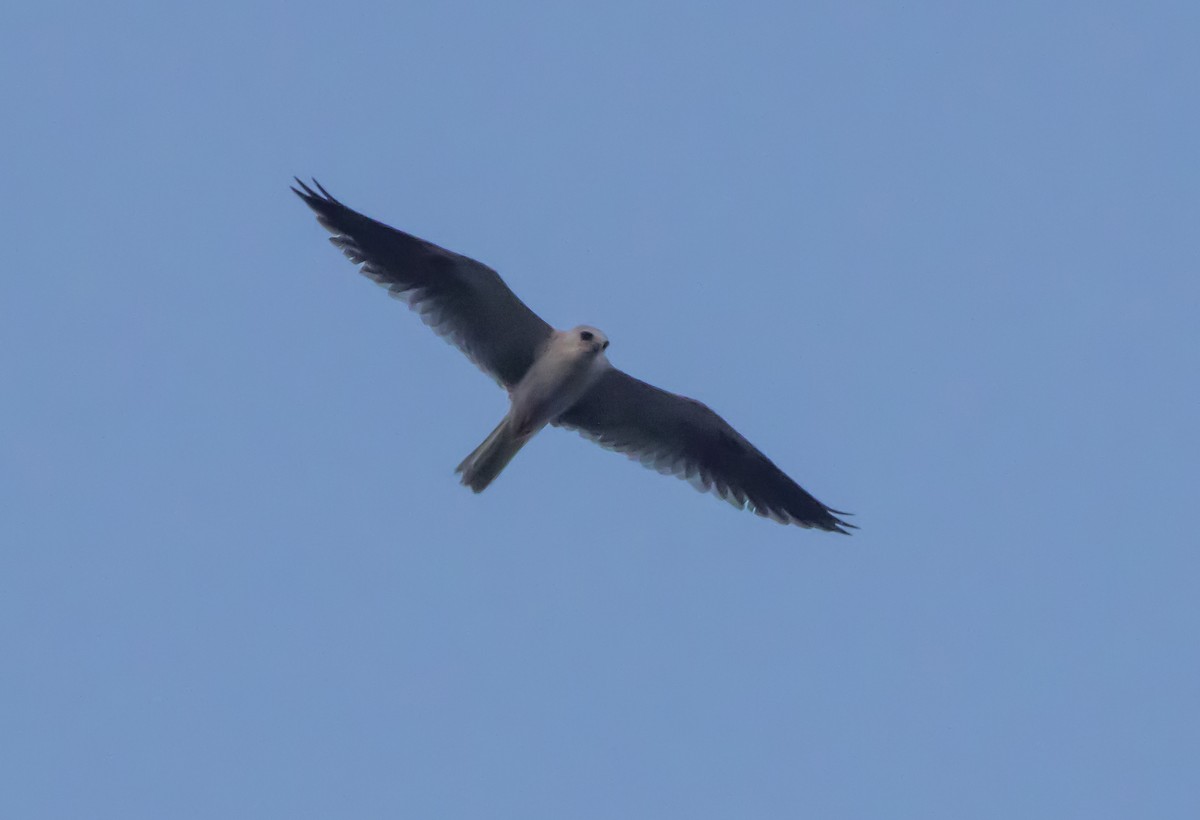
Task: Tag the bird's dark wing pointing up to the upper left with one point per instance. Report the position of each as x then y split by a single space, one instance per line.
465 302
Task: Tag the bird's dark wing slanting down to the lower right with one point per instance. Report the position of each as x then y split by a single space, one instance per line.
681 436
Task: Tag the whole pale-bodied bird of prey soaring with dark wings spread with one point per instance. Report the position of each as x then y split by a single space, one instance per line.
562 378
